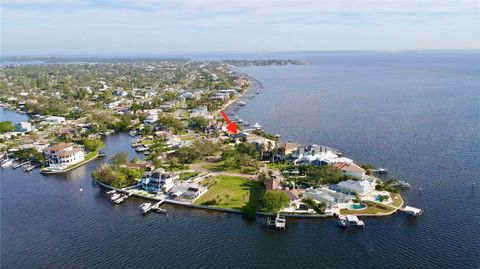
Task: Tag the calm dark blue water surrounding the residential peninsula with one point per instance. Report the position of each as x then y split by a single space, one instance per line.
414 113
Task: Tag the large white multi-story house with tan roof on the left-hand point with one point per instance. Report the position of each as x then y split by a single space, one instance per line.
63 155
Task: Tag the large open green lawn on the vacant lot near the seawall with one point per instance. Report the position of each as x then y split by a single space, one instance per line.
230 192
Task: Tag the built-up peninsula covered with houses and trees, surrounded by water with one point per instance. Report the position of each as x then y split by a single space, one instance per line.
186 156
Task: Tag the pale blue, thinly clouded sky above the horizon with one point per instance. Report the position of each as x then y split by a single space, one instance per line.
109 27
